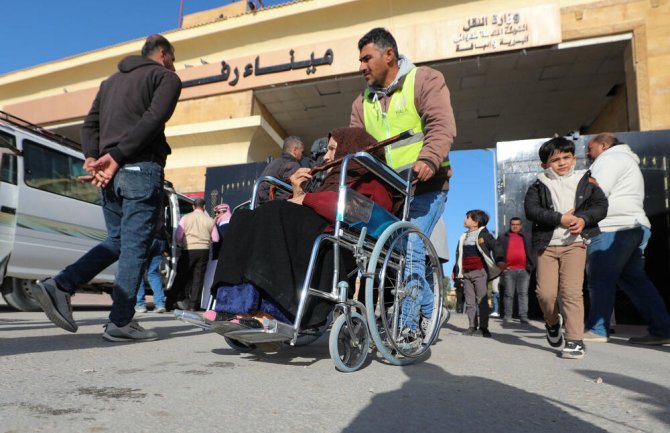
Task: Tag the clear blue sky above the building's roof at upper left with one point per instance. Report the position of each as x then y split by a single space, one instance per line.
39 31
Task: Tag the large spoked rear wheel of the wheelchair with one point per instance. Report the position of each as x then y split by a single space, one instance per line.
386 290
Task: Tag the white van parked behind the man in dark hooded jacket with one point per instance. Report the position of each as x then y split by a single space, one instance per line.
48 218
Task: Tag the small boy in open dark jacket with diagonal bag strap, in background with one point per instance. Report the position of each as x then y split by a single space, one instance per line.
475 266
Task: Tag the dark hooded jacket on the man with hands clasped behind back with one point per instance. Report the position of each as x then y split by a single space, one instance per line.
128 116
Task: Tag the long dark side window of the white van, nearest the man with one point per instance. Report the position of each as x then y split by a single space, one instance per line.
56 172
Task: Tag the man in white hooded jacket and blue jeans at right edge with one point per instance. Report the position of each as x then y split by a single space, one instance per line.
616 255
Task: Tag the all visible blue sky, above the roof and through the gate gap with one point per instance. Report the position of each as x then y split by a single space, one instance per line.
39 31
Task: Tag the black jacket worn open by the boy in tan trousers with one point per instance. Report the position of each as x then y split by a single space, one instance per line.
590 204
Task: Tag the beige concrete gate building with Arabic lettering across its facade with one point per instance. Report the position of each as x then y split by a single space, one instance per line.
516 69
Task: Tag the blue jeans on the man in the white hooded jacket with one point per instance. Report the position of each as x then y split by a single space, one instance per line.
618 258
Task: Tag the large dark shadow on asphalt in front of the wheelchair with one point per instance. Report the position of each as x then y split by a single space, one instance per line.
434 400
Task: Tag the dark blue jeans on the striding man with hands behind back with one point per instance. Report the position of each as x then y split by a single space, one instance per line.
130 206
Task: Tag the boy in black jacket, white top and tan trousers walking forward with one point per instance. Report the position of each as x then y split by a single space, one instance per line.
565 206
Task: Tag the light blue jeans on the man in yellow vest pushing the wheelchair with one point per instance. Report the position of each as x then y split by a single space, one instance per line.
424 212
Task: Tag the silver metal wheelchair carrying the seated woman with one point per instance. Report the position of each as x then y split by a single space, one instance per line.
378 242
